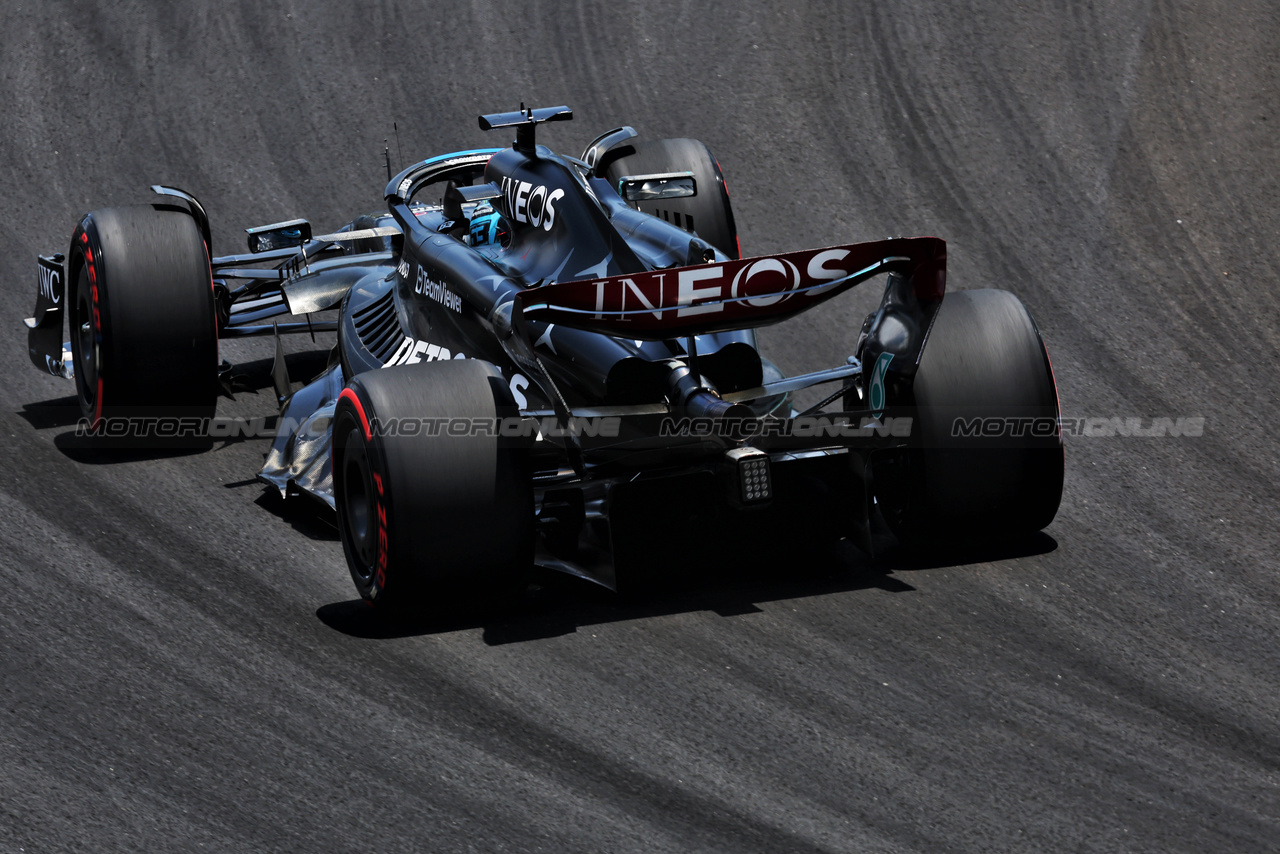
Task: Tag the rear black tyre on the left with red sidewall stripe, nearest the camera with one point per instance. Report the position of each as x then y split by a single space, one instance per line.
428 514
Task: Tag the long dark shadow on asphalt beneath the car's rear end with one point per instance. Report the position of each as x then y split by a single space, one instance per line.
556 605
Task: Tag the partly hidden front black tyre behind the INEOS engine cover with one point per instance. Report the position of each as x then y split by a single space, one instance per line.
708 214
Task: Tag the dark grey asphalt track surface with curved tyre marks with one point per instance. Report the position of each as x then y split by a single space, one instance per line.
182 664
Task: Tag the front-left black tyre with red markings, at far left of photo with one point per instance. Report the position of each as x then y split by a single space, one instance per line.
143 323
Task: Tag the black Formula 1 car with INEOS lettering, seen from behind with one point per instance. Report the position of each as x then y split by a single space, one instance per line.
555 360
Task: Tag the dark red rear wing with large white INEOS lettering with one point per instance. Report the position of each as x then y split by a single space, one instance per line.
734 295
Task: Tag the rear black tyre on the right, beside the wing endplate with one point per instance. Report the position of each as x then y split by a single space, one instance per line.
988 456
